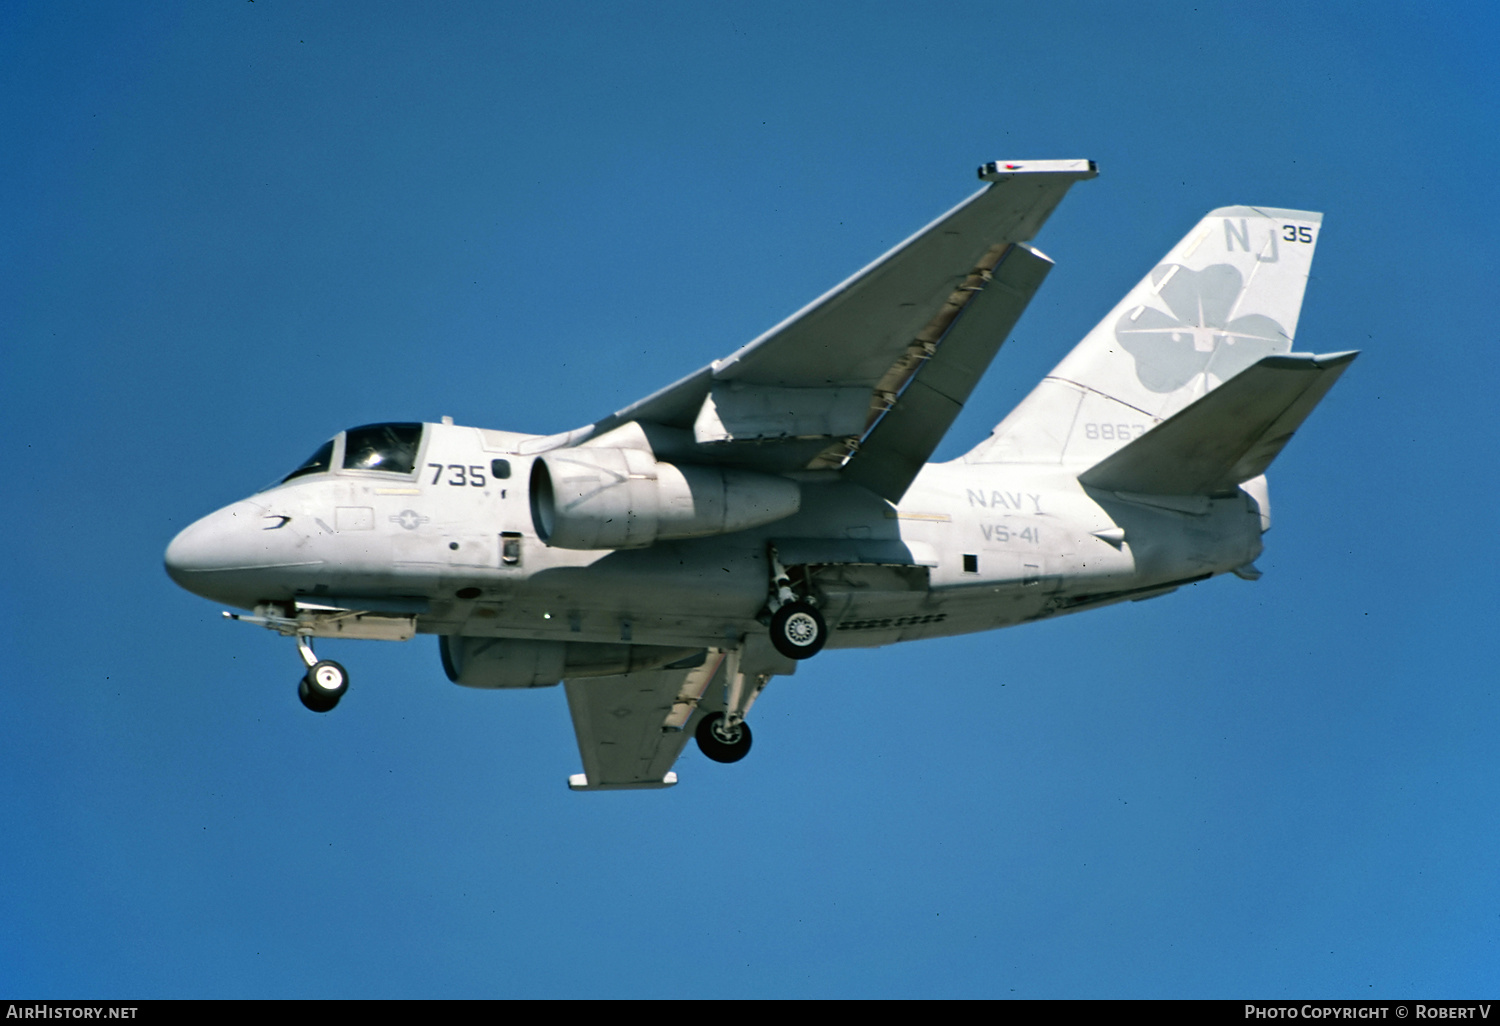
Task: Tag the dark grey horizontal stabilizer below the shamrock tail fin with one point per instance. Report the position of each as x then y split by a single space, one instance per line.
1229 436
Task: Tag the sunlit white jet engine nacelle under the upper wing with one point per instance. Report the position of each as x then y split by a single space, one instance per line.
625 499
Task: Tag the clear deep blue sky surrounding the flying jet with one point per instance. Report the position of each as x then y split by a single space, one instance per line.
235 229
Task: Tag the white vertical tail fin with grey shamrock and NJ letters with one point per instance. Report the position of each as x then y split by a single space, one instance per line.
1226 298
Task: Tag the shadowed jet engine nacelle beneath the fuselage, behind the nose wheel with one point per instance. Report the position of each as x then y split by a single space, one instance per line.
514 662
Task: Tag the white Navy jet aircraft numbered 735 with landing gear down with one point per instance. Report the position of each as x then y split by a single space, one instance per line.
667 562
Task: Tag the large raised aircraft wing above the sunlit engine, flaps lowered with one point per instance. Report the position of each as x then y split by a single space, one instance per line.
904 340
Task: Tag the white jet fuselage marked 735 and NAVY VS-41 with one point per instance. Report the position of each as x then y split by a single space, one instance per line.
446 535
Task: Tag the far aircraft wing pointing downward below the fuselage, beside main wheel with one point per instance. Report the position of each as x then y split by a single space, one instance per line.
632 728
